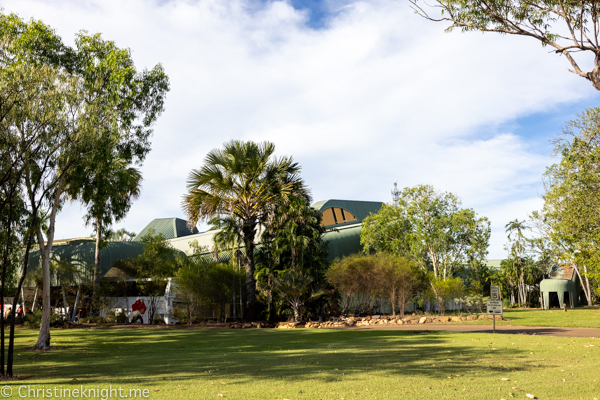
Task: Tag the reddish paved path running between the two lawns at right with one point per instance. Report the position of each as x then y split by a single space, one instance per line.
506 329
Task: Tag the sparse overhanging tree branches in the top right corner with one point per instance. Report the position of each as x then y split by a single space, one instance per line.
569 28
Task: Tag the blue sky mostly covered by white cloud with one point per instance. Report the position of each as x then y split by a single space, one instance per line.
361 93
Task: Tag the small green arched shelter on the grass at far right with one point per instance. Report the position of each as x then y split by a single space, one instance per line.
561 288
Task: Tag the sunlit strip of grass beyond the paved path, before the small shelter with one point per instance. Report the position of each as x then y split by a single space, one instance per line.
584 317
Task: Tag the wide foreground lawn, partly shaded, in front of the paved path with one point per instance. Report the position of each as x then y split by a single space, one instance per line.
312 364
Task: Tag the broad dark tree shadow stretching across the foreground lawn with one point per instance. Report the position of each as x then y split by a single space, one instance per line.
148 356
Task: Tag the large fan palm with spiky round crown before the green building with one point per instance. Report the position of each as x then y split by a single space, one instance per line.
243 181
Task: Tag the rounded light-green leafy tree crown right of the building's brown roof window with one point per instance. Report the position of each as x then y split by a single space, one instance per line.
429 228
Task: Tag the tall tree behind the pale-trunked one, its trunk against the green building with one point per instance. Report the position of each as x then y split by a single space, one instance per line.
107 182
